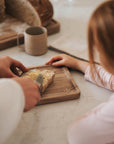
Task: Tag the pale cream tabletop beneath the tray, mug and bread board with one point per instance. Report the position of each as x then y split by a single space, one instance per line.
48 124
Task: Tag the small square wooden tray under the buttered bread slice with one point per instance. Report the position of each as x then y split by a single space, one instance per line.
63 87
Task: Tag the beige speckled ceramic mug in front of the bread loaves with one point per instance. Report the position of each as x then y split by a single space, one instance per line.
35 39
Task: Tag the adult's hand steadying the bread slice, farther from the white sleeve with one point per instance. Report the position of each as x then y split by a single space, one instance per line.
8 67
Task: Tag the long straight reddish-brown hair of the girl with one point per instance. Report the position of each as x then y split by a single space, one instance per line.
101 33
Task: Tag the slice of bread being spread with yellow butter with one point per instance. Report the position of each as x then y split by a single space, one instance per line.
48 76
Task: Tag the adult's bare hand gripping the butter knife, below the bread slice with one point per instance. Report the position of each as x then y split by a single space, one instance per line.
31 91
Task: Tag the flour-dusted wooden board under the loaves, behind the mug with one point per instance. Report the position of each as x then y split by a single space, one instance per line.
11 26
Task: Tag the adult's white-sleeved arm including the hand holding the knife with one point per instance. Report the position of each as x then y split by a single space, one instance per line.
16 95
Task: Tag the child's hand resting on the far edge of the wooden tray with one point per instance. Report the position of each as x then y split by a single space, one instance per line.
62 60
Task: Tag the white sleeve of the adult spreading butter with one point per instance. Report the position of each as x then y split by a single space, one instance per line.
11 107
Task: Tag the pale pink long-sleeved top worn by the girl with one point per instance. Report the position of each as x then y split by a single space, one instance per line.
97 126
